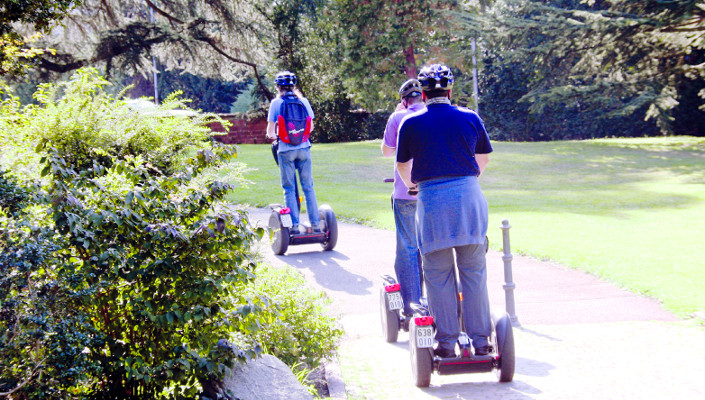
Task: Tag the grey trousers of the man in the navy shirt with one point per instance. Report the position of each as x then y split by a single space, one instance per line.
441 287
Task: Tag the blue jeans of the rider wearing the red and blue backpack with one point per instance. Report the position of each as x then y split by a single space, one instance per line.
290 162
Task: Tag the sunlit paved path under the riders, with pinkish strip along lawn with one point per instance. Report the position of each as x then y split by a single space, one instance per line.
580 338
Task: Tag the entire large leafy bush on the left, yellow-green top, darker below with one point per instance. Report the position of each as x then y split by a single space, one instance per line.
126 289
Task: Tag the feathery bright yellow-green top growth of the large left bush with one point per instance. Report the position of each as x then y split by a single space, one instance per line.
84 124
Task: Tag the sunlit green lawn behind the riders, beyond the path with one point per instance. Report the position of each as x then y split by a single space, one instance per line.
628 210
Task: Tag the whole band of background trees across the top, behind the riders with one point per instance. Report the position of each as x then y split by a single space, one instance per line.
580 68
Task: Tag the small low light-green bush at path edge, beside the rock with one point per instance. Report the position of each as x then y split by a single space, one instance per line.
296 326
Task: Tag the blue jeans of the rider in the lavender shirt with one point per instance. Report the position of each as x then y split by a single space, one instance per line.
407 264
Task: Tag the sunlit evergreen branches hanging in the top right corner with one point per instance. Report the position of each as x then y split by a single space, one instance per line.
617 57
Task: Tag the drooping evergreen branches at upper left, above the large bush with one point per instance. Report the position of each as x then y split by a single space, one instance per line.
216 39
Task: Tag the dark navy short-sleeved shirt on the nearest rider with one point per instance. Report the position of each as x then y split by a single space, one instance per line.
442 140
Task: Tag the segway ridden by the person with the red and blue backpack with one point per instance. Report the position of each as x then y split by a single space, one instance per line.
281 223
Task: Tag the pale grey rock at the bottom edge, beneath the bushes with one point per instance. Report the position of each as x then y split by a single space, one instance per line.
264 378
